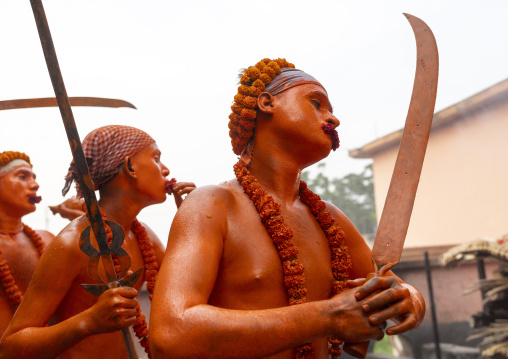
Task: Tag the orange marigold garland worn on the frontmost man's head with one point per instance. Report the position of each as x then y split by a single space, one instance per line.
242 121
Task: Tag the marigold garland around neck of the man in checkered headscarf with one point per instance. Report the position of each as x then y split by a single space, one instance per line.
151 270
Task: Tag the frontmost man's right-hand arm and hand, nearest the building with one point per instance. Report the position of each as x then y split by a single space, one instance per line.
398 301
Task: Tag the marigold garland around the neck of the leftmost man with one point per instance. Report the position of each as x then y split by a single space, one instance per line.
9 285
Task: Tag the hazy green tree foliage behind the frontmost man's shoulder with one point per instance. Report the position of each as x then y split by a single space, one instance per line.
353 194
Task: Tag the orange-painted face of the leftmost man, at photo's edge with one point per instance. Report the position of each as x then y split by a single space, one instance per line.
17 190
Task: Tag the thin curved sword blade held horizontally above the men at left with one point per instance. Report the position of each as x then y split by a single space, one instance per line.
75 101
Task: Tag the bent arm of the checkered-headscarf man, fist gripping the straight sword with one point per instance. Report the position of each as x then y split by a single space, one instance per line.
27 335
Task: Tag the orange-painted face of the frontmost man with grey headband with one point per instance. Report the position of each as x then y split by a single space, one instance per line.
299 115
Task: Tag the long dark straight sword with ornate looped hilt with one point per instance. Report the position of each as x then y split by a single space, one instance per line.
85 181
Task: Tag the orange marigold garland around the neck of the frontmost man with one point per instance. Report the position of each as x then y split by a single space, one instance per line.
293 270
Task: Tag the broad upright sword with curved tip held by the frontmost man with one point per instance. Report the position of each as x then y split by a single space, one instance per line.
399 202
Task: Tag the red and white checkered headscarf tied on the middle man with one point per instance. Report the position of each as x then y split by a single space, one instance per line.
105 149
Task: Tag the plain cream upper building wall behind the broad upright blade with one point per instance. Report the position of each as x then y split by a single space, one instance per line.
463 190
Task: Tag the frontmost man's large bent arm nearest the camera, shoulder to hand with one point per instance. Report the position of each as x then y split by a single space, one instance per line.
182 324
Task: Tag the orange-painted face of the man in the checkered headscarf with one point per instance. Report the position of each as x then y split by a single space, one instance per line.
151 173
